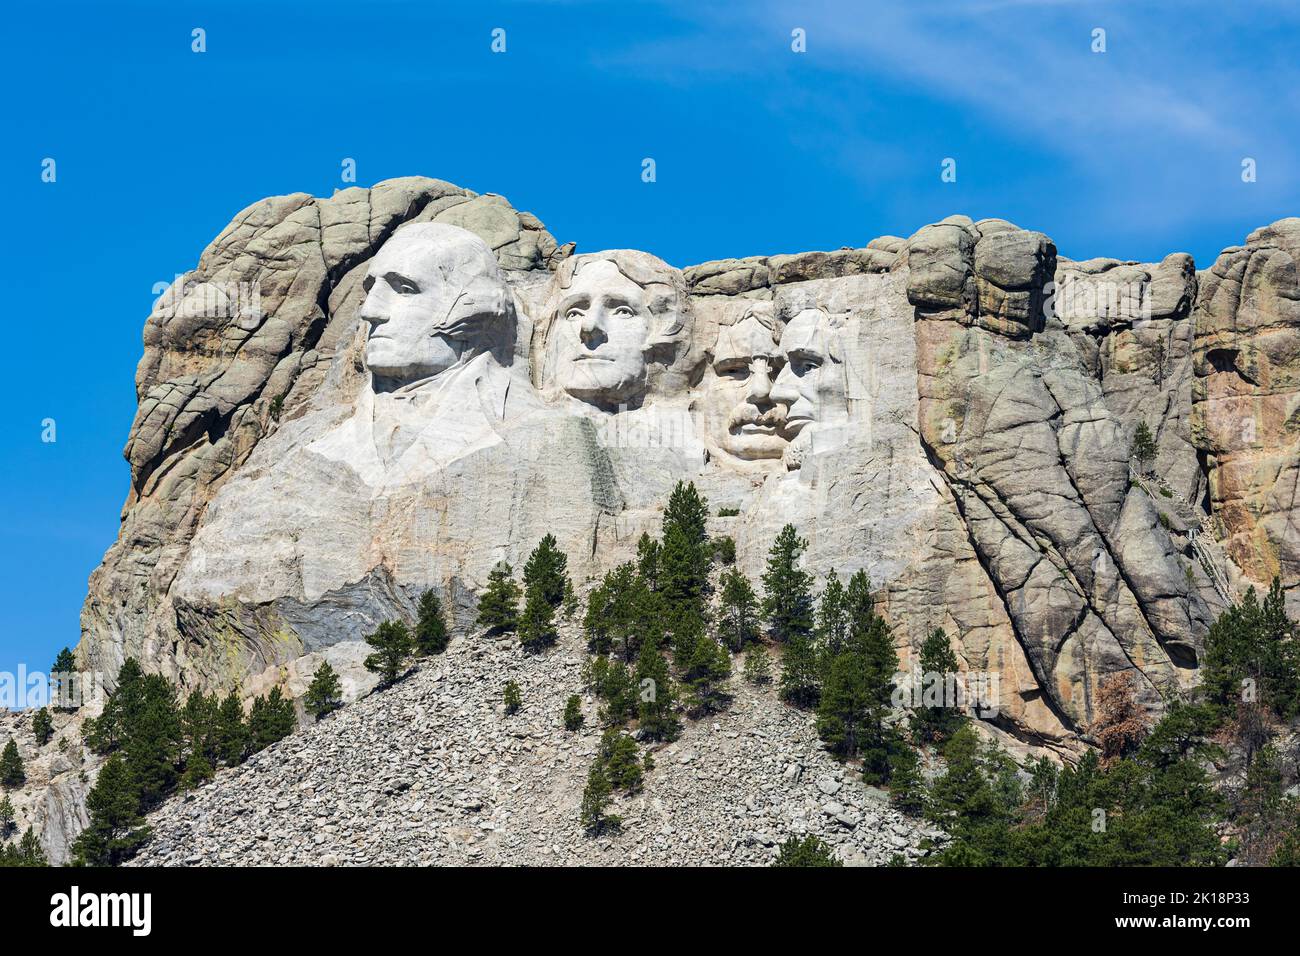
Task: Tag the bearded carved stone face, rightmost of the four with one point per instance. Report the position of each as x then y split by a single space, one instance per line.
812 386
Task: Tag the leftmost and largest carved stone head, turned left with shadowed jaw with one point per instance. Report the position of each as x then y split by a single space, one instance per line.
435 297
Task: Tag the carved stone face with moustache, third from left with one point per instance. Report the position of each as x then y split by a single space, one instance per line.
742 417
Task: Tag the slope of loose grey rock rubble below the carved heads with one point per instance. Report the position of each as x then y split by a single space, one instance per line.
432 772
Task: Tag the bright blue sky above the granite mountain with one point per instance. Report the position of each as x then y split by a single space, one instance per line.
1133 154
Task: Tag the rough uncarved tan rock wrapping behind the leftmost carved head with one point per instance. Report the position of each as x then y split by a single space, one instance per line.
248 338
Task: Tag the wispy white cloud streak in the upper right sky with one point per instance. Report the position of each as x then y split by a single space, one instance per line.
1155 128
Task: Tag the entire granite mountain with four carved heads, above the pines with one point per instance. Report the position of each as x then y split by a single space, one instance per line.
353 400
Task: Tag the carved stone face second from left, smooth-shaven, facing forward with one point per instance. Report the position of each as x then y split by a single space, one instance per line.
604 322
